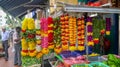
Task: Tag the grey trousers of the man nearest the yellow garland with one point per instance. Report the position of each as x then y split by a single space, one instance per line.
17 56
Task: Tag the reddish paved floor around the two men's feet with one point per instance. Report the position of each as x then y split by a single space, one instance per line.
10 61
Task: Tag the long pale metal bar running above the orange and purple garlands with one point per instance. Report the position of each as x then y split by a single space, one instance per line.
90 9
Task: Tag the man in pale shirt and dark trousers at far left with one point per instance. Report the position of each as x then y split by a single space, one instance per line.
5 37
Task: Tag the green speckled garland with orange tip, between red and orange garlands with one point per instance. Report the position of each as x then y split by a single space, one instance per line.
57 33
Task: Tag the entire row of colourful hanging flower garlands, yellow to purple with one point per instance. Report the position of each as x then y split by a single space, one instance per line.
61 34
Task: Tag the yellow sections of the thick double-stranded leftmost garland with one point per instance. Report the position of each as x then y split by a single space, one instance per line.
28 23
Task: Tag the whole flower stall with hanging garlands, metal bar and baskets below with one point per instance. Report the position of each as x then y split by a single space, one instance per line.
70 37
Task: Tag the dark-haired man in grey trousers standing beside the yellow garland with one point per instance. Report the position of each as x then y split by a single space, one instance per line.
17 46
